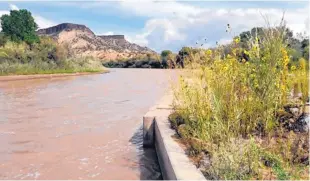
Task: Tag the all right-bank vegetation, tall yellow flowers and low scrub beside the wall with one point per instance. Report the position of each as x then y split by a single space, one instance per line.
235 108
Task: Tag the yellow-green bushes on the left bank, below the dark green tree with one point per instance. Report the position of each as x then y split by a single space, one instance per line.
43 57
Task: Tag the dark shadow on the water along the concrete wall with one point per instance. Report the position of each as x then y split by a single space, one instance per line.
148 162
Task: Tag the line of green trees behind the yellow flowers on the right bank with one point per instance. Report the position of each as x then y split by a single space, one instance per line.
298 48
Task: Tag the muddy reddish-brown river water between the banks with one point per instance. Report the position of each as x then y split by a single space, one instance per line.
81 127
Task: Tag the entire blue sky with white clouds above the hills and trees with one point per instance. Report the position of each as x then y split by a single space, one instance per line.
167 24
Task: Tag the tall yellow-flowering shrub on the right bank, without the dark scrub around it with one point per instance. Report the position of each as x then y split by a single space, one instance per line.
227 97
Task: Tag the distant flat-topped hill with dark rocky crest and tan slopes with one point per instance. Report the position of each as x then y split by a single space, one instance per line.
82 41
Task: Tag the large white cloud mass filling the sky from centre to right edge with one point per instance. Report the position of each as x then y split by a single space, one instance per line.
173 24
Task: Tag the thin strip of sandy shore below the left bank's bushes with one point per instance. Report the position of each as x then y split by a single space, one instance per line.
44 76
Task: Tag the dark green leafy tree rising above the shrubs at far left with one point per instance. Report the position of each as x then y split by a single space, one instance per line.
19 26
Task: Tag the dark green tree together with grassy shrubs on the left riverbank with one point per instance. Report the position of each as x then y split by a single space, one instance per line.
23 52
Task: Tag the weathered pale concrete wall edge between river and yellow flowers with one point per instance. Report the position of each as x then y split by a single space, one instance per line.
173 161
